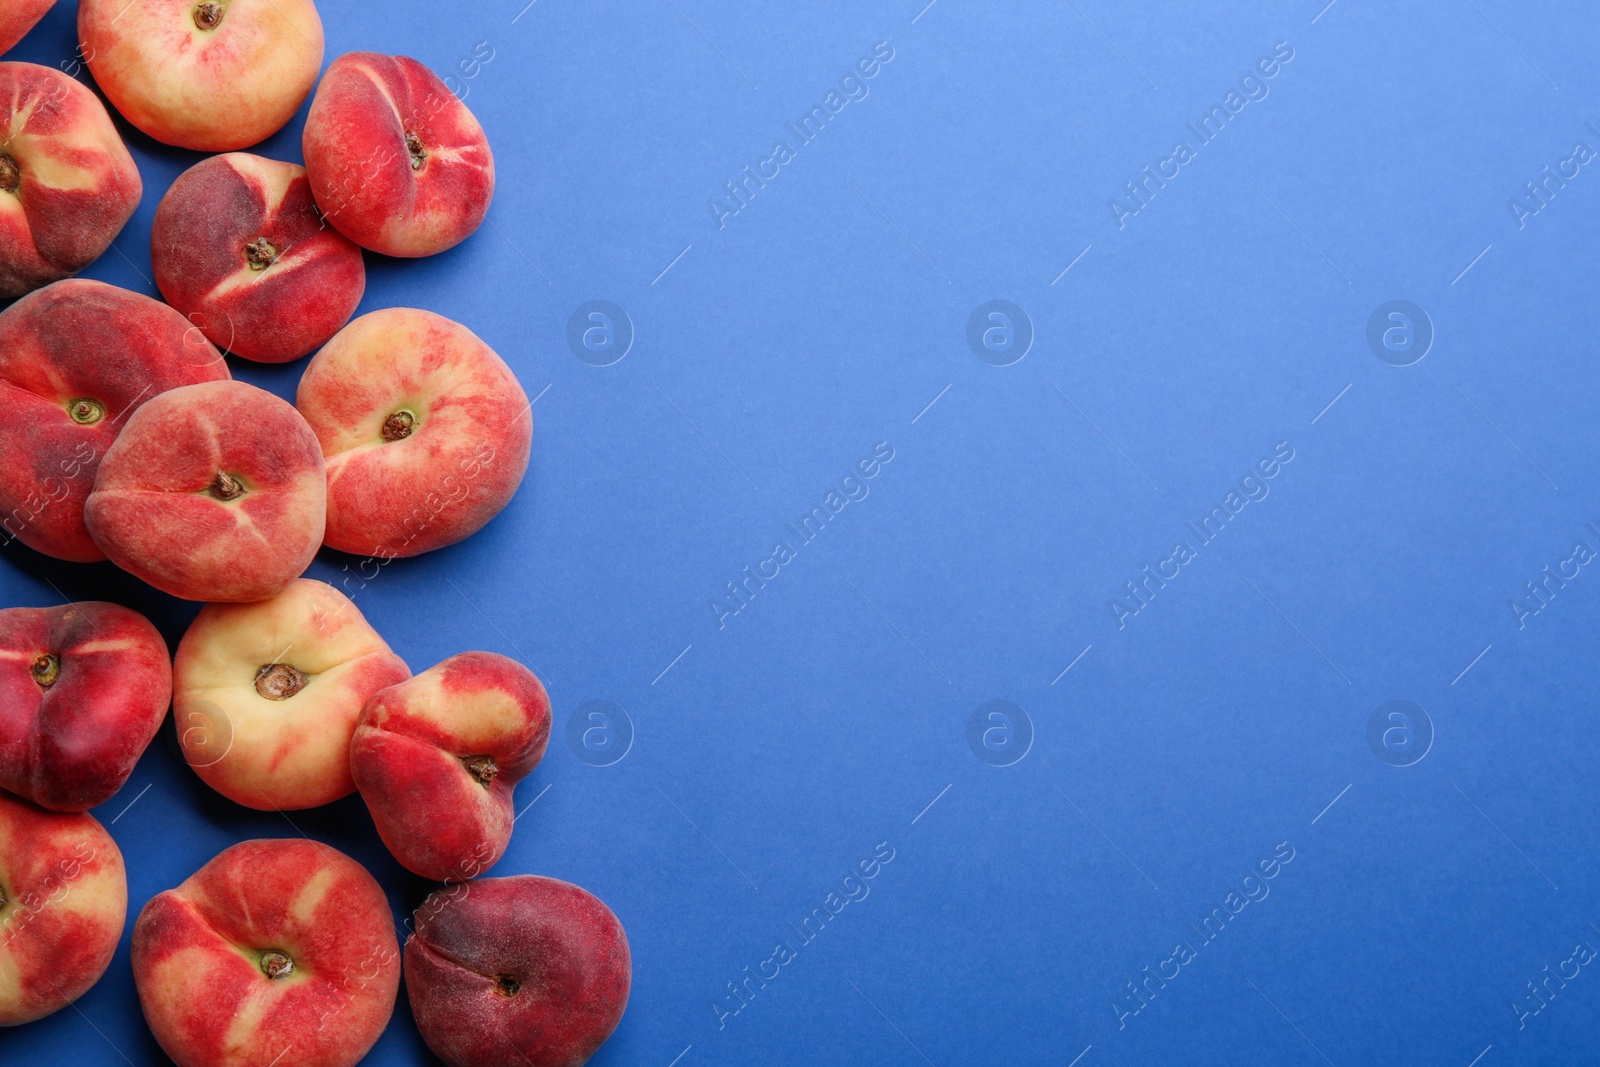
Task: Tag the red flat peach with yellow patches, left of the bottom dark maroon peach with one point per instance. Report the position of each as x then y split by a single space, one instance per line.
273 946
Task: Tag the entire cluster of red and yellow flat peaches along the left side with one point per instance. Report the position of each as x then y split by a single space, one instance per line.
126 438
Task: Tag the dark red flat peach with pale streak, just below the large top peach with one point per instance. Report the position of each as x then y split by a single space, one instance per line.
239 249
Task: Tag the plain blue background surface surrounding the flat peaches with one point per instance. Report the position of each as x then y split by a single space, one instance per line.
1183 746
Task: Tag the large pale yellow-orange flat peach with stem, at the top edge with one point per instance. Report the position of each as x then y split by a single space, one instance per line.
212 76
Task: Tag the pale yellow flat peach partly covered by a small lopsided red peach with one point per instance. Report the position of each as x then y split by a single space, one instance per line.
266 697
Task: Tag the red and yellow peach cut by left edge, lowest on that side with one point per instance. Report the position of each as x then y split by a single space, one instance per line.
63 903
